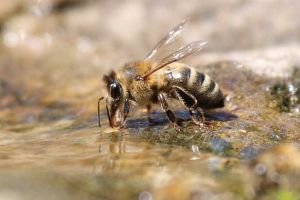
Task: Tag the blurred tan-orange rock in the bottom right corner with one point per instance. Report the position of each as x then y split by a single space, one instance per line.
278 168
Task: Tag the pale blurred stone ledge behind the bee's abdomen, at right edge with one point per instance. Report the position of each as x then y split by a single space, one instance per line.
273 62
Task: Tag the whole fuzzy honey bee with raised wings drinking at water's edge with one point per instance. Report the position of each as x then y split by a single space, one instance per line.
147 82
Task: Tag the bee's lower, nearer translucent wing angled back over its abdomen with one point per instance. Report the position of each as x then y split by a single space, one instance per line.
181 53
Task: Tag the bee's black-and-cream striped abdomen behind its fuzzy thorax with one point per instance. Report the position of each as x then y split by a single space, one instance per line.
205 90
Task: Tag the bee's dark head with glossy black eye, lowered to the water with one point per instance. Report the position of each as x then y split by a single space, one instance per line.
115 100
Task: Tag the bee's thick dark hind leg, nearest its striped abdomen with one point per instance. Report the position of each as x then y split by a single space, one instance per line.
190 102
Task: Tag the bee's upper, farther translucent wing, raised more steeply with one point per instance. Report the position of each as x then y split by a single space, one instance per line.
170 37
